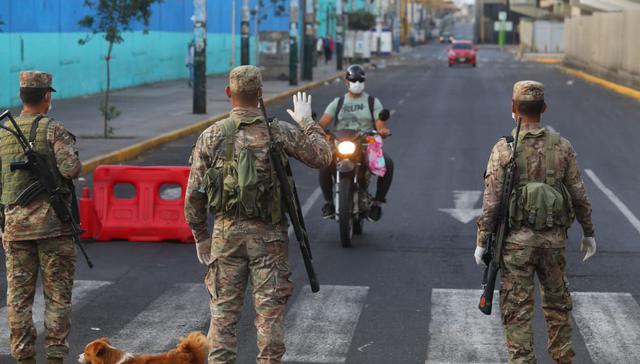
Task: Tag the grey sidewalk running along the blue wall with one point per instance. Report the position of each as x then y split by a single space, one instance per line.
152 110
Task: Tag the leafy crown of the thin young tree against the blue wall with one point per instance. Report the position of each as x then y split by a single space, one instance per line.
112 17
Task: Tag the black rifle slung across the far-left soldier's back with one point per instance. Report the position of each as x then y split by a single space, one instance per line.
44 183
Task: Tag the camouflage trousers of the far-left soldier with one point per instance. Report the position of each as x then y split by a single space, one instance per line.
56 259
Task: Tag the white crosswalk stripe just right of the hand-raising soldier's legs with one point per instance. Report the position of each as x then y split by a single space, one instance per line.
319 326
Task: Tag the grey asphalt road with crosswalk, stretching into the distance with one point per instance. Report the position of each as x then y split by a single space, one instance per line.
406 292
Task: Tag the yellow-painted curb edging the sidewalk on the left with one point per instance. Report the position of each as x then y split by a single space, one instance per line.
131 151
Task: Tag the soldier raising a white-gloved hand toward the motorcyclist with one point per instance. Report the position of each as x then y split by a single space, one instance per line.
247 247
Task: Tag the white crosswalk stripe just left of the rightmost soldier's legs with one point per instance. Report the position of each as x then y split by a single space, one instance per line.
459 333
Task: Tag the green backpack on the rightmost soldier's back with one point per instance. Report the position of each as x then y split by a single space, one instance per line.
540 205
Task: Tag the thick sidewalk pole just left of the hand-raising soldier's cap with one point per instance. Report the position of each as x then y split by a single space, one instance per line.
199 58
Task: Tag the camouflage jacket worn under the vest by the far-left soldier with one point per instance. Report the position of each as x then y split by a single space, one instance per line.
38 220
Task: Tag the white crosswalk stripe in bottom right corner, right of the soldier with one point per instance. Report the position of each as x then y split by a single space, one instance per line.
610 326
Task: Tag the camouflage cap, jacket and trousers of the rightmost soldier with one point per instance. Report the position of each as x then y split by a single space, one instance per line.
527 251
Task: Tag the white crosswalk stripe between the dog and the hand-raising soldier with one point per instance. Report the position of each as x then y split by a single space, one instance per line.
183 308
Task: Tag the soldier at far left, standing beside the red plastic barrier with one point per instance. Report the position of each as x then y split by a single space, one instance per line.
34 238
